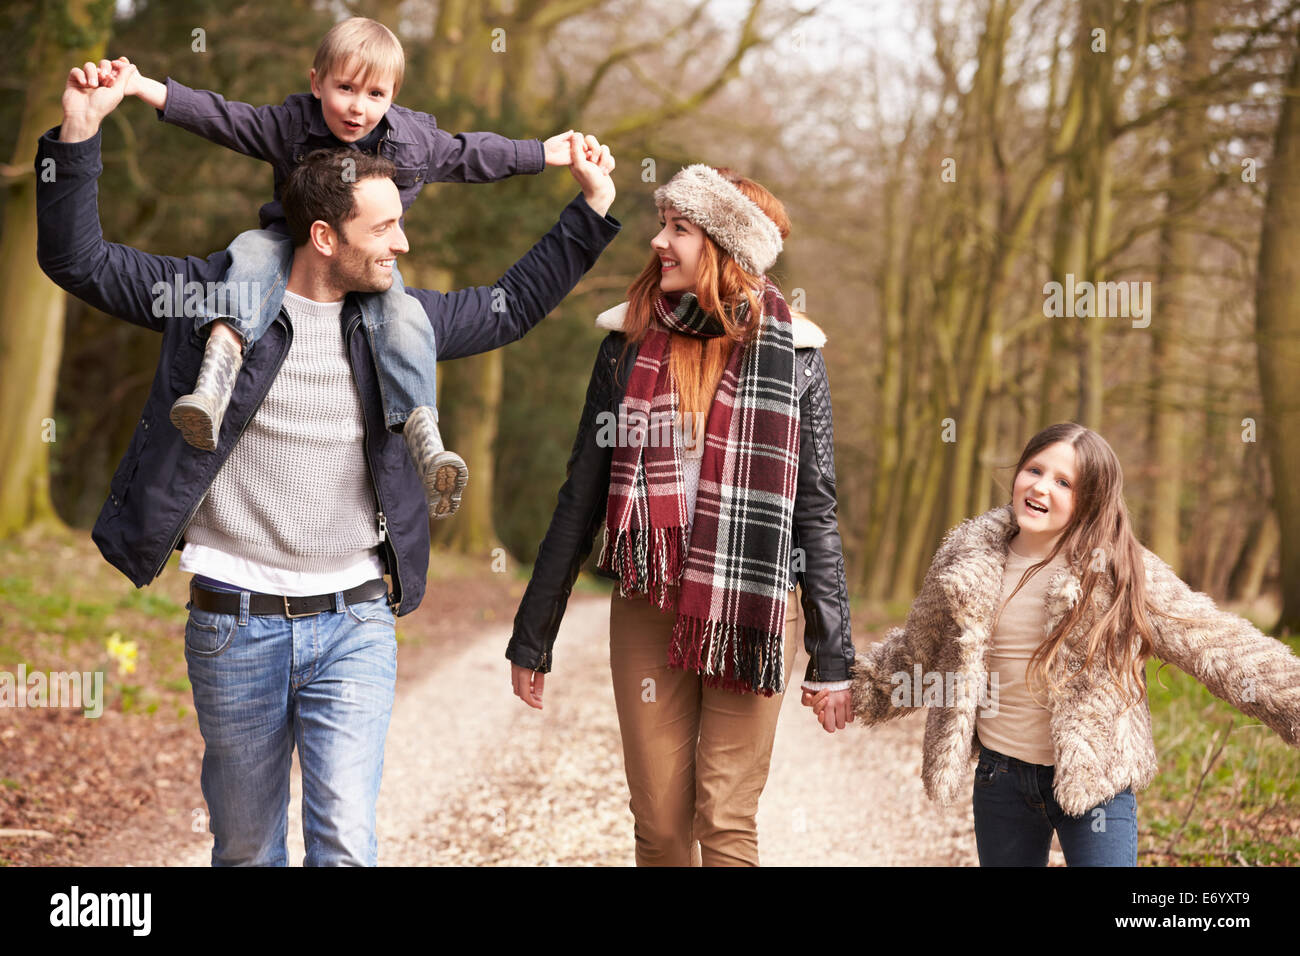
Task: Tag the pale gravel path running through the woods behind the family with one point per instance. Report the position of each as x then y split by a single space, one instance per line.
474 777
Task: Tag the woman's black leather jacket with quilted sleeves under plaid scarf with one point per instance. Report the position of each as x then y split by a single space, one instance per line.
817 561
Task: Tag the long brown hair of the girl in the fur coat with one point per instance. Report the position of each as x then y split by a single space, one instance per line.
1098 539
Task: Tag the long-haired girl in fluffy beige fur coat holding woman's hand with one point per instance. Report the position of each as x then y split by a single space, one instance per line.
1059 724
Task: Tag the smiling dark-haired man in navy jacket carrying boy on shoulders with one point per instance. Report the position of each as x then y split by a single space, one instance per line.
309 500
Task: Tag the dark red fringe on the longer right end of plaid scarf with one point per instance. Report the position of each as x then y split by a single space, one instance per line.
734 657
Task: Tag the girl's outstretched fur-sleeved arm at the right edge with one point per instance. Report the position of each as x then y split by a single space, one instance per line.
1236 661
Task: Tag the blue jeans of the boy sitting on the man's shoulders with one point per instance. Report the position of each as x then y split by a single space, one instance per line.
406 354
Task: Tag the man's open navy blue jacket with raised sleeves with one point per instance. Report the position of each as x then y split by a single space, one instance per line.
162 479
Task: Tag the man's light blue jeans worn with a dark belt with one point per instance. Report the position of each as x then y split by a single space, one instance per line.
263 685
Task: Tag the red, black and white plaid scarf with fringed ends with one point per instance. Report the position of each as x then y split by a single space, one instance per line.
729 573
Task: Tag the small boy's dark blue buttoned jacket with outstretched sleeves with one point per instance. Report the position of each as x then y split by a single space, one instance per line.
284 135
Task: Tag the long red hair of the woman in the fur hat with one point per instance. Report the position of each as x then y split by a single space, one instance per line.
697 365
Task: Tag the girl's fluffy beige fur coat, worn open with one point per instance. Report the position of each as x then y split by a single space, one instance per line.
1100 747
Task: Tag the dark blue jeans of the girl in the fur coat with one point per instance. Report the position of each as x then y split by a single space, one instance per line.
1016 815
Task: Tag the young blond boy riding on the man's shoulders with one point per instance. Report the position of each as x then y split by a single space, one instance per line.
358 71
